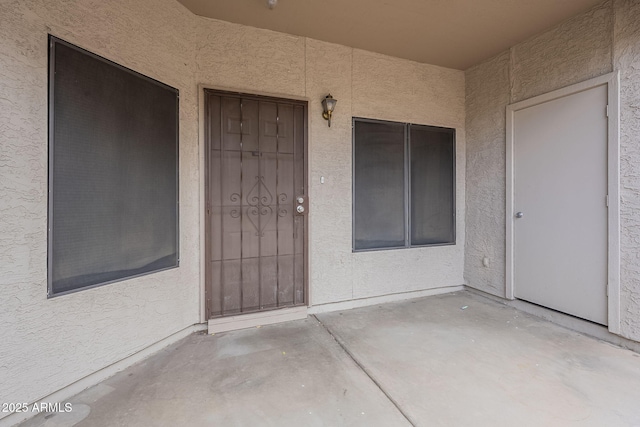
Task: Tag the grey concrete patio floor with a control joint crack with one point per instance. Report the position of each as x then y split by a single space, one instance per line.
449 360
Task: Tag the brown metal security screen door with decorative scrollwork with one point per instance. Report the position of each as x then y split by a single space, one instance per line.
255 188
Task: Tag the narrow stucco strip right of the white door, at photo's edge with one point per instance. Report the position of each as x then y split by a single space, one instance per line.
627 60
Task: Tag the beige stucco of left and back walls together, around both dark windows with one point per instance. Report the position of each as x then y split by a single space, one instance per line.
50 343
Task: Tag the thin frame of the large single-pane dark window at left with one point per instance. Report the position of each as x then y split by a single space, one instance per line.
52 42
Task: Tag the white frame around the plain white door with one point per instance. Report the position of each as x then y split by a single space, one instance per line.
612 81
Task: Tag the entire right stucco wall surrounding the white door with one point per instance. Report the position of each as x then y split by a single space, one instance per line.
602 40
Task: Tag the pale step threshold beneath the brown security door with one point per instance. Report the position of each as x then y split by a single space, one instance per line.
244 321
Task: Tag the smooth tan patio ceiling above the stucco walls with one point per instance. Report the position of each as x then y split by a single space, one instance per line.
450 33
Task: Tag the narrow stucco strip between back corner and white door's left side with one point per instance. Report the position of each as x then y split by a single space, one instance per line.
487 95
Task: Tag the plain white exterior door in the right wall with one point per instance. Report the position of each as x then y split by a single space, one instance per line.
560 235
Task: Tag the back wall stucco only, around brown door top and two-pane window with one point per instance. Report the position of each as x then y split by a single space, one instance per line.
284 65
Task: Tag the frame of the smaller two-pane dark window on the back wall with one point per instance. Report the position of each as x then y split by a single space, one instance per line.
407 184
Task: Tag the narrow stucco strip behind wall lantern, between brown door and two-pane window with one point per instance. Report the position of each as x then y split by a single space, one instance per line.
331 260
